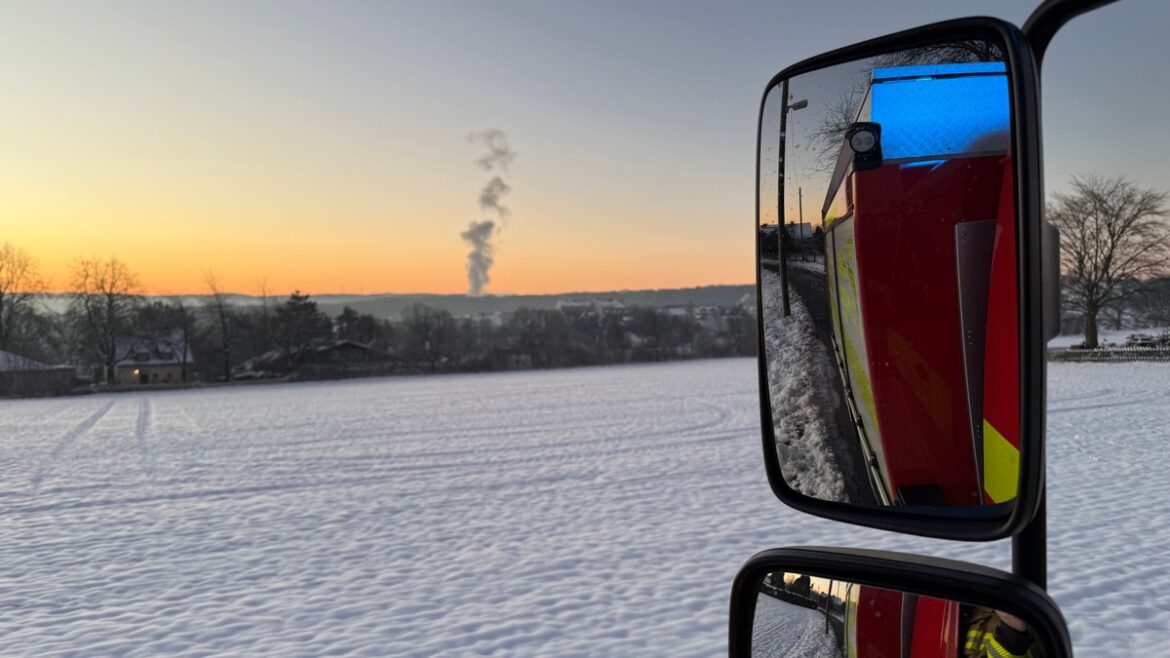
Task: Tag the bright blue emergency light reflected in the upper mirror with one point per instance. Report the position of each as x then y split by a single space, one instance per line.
939 111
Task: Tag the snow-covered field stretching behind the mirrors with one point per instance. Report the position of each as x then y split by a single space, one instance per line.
600 512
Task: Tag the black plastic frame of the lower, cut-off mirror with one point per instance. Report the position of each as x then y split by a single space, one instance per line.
927 577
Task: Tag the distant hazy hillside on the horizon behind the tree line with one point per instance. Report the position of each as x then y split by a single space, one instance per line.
387 306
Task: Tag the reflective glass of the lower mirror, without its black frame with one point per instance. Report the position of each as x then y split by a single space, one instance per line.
803 616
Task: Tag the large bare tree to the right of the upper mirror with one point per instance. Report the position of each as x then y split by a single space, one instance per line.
1112 234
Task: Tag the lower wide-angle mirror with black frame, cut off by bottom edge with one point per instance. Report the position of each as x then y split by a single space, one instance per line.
868 604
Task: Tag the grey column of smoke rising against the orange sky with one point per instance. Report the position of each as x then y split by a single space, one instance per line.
480 235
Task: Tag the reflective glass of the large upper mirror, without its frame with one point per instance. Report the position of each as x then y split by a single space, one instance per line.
887 263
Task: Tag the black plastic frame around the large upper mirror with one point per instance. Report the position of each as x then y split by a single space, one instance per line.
1026 128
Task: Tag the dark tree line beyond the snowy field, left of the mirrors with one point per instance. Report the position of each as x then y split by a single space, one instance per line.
219 338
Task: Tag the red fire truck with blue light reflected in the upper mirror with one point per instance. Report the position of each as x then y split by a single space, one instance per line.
891 230
